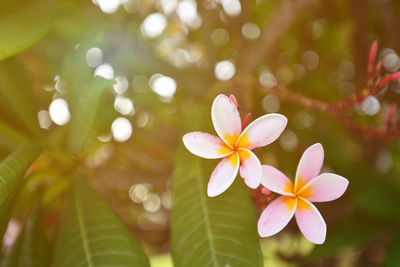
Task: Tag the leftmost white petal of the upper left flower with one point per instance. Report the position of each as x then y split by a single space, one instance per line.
206 145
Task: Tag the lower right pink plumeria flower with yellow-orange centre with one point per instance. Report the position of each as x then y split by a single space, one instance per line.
309 186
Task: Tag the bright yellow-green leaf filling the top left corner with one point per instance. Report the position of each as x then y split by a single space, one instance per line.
23 23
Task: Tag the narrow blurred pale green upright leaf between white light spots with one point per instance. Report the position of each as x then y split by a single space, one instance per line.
84 115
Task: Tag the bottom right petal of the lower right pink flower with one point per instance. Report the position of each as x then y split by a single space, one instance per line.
310 221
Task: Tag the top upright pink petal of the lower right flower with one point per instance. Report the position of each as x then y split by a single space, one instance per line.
310 165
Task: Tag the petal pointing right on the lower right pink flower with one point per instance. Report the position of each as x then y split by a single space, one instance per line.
325 187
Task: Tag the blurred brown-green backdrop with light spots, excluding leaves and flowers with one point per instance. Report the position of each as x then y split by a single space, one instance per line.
170 57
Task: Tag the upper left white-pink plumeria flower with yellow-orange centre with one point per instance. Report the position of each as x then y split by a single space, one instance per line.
234 144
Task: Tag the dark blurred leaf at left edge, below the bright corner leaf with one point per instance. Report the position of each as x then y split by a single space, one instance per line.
17 99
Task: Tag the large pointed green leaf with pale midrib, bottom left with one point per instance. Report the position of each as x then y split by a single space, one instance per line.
90 234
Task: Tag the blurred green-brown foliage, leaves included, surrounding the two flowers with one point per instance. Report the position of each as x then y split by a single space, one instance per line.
318 49
